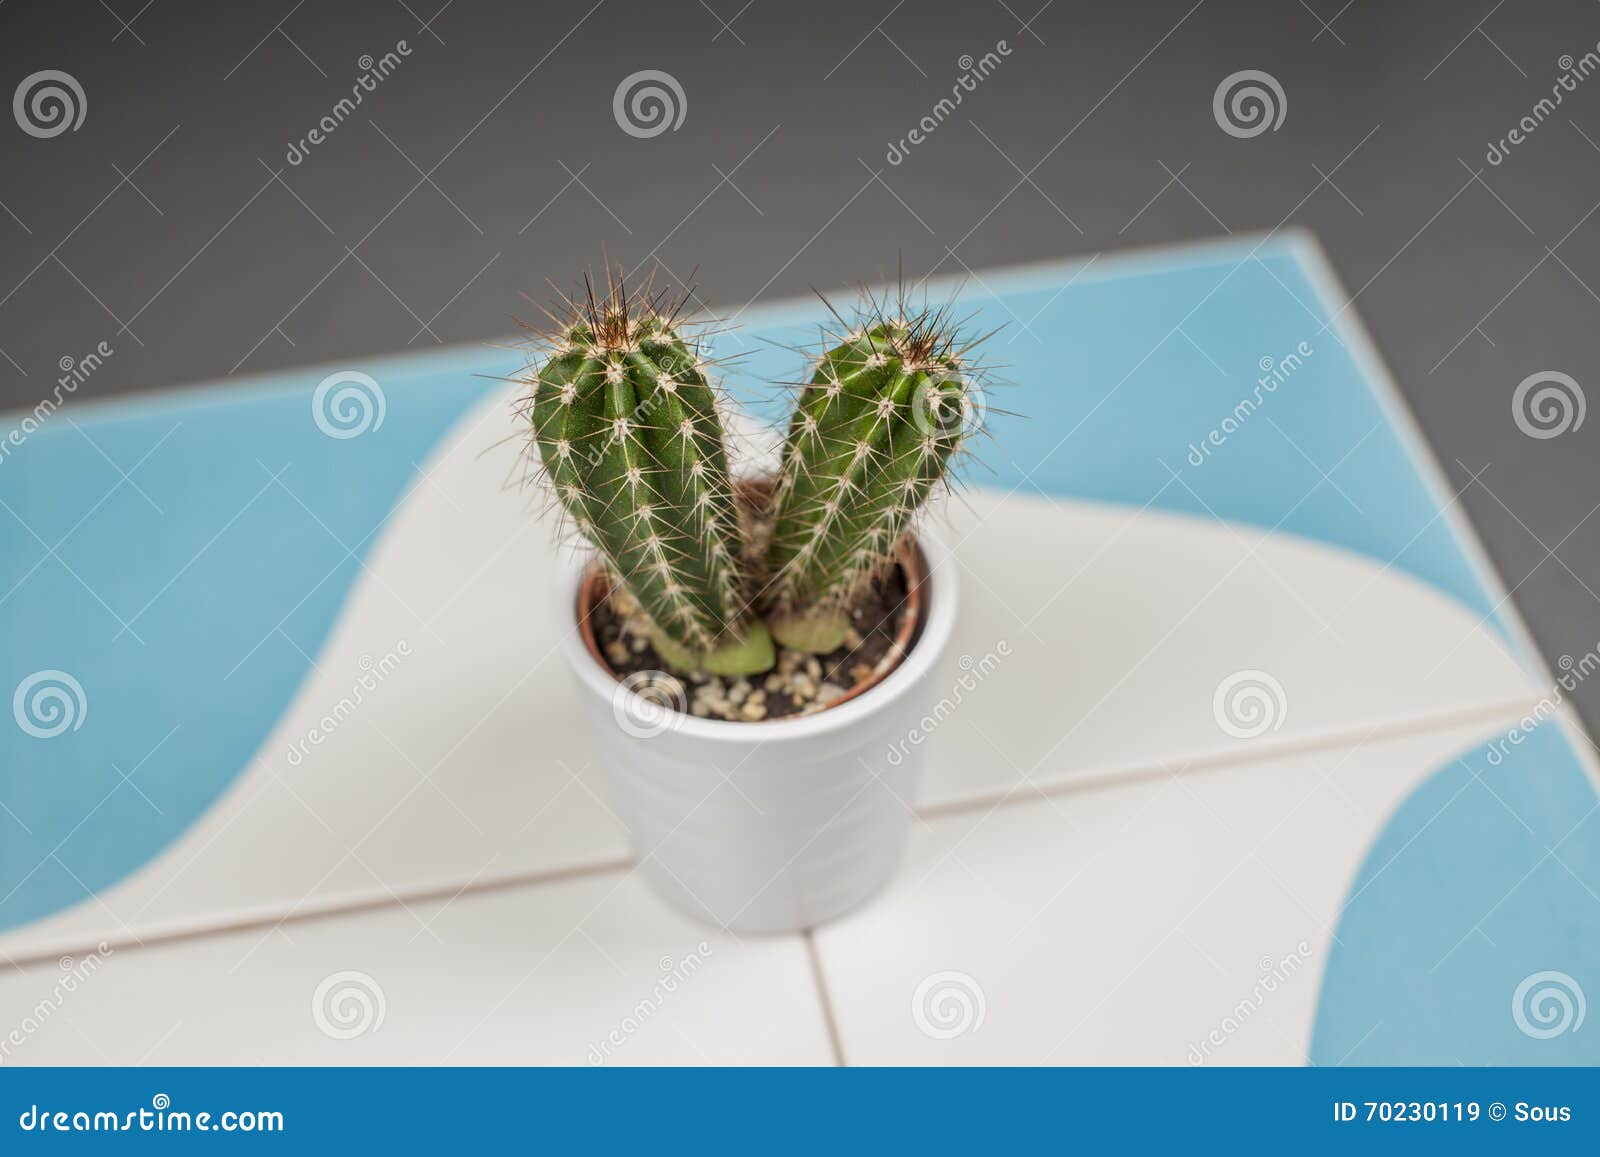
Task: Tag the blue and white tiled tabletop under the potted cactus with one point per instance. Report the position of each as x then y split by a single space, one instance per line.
1102 871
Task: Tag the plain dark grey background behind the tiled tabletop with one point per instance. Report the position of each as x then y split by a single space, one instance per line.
172 226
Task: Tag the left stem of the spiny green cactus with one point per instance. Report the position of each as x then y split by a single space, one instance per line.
628 433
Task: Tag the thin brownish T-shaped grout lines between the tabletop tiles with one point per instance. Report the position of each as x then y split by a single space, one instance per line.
1007 798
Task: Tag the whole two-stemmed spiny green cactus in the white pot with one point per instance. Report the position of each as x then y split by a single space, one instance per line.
628 433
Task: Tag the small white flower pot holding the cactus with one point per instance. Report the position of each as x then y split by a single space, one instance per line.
777 825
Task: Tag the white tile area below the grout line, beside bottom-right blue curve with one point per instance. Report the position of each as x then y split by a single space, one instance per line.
1124 924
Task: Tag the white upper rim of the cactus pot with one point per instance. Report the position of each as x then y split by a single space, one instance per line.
937 623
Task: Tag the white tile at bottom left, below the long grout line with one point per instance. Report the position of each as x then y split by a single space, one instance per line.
534 975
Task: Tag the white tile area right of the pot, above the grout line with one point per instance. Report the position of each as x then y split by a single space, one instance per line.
1089 617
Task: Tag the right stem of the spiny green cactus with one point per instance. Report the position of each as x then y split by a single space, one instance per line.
871 438
